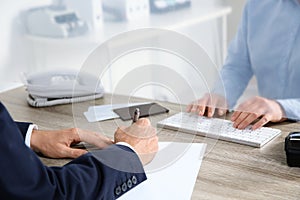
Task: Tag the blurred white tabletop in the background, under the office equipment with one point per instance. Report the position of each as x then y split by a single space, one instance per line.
173 20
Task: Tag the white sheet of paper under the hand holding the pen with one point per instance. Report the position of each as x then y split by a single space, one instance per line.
172 174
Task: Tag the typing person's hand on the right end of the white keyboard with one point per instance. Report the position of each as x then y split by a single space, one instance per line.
265 110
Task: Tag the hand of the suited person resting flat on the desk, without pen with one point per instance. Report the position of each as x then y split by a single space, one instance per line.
57 143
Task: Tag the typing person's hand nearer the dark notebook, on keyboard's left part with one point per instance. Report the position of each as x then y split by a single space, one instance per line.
208 104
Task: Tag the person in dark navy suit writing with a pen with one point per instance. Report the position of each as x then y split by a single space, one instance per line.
101 174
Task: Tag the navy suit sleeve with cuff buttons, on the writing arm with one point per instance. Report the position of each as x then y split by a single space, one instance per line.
103 174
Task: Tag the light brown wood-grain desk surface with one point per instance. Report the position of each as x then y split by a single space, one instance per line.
228 170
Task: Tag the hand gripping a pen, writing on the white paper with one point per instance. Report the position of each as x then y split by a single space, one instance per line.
142 137
